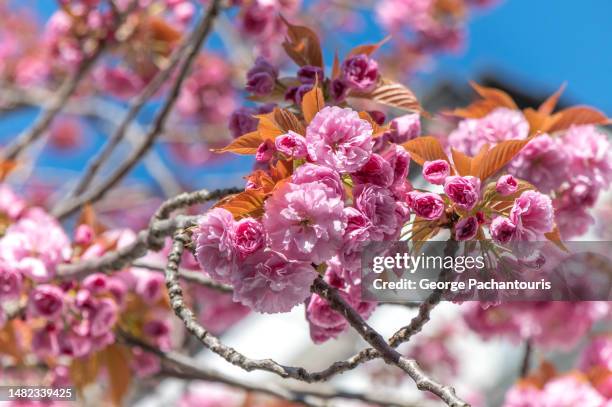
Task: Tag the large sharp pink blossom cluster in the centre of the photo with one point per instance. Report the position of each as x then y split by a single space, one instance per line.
345 190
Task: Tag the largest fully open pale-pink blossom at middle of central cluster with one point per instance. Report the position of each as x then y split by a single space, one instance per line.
305 221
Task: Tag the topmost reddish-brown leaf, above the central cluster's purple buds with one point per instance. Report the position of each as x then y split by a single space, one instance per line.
302 45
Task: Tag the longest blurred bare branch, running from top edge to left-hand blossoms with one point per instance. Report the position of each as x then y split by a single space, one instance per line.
202 31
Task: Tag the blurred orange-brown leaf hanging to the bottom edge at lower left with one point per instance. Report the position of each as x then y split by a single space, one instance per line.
117 360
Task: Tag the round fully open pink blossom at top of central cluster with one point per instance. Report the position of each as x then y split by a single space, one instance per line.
339 139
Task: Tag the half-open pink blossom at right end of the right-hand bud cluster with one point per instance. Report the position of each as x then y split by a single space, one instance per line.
532 214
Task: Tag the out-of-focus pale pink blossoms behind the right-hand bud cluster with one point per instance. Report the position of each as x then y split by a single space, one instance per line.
572 166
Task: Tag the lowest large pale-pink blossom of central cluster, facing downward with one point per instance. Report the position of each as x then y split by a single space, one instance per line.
270 283
